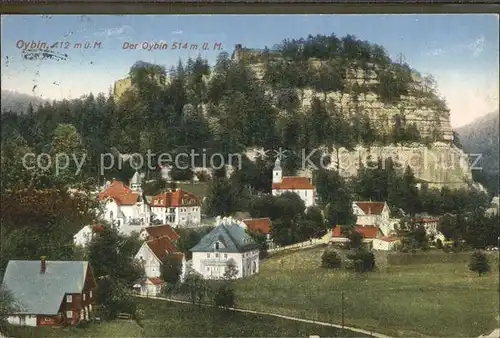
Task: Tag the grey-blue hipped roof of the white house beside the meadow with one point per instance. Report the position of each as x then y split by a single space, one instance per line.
233 237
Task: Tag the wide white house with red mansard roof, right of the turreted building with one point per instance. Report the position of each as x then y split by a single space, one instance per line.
178 208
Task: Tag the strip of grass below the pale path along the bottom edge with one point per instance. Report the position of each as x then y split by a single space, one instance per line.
164 319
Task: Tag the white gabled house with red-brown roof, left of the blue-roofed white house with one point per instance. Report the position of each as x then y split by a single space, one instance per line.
158 244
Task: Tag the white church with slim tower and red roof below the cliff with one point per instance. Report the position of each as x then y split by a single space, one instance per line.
300 185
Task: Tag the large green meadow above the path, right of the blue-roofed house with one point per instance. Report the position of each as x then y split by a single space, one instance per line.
423 294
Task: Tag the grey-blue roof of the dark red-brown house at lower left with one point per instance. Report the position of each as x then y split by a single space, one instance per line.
42 294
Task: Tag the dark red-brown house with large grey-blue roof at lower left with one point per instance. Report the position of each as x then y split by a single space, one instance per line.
50 293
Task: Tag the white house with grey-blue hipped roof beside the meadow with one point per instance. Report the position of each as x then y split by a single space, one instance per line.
228 243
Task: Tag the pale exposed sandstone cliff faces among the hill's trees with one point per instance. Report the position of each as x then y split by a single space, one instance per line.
438 163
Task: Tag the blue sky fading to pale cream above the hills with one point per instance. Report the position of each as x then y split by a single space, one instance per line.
460 51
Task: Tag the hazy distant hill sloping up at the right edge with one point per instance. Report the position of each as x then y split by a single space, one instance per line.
481 137
